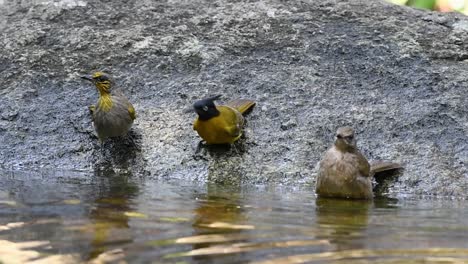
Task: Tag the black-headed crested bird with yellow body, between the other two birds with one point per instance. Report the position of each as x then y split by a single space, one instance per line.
220 124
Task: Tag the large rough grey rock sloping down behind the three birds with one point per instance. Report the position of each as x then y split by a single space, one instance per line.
397 75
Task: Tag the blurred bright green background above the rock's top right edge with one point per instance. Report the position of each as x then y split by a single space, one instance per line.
438 5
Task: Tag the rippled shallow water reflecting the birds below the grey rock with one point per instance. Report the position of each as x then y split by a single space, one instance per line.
111 216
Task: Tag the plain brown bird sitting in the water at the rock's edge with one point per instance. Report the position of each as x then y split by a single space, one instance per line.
344 172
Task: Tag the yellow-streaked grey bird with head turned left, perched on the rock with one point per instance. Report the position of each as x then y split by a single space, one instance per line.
113 114
